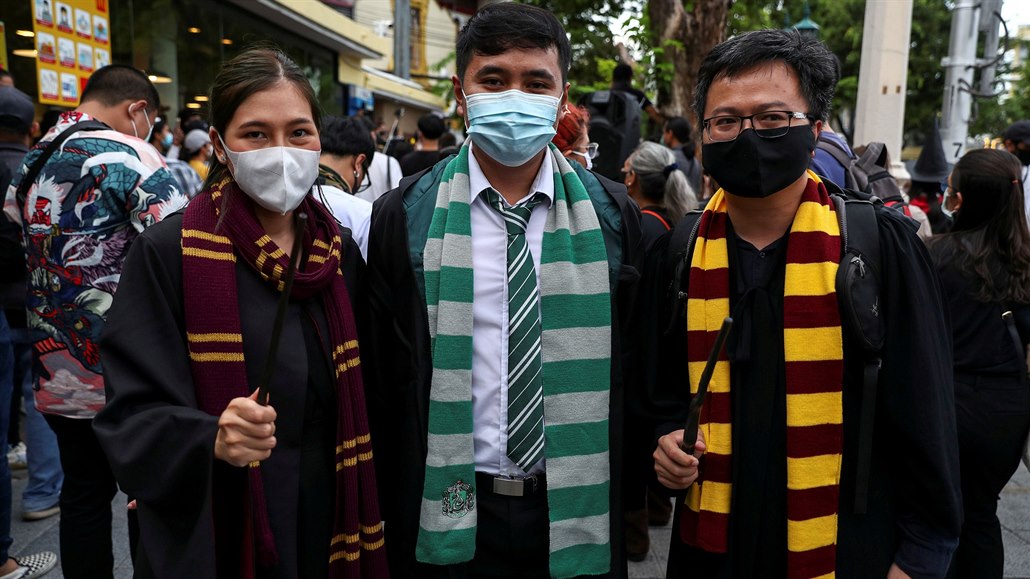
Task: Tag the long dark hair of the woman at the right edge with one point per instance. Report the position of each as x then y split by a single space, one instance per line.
991 227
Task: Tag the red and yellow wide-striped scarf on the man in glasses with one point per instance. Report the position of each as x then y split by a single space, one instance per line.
814 361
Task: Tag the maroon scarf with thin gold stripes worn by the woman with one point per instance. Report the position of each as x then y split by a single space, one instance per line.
210 254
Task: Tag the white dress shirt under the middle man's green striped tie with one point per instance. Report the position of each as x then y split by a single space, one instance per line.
490 317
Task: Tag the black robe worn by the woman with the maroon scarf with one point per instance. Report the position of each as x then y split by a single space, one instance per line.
161 447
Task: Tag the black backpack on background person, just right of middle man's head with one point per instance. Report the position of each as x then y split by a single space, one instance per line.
615 126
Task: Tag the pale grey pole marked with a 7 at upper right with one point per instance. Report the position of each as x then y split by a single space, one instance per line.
959 69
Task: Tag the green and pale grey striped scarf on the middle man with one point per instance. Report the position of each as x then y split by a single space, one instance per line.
576 343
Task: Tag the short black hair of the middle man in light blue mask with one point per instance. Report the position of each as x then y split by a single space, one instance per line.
499 28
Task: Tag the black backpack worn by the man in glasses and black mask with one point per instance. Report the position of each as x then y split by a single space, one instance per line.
859 289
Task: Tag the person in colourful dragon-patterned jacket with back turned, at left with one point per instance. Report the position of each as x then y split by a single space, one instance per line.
88 202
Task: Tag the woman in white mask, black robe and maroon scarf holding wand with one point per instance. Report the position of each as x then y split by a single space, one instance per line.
226 487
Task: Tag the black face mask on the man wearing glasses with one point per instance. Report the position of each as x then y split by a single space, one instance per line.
751 166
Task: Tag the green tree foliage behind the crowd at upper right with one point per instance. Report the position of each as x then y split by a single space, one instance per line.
589 23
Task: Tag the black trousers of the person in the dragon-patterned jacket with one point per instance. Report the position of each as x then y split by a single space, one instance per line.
86 501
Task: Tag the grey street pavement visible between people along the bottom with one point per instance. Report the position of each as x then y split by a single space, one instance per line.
1014 513
